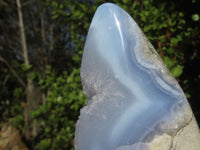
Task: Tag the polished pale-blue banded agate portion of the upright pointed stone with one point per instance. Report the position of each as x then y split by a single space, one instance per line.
131 95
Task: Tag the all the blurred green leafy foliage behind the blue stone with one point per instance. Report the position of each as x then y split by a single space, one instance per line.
169 26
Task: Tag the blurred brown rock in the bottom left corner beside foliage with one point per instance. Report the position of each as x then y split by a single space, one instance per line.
10 138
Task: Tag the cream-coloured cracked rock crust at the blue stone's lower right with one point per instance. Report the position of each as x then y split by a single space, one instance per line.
187 138
